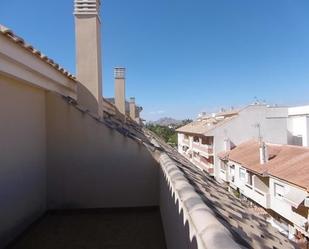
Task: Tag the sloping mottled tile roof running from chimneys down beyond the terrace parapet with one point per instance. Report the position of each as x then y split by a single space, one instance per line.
249 229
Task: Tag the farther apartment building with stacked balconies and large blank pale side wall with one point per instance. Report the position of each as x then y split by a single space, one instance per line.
201 140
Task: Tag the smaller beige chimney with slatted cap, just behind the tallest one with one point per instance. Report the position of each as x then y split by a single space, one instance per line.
120 96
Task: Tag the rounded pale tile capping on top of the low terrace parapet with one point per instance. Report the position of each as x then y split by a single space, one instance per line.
203 224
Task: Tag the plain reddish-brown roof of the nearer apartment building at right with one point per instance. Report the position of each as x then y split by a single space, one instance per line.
286 162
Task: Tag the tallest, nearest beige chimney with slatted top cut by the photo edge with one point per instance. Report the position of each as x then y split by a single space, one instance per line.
88 54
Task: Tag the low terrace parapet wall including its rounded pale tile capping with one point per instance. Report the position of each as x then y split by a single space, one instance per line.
188 223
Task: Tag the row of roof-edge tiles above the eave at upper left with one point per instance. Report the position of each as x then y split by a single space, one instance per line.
18 40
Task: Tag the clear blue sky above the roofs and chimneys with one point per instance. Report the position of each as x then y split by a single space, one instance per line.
184 57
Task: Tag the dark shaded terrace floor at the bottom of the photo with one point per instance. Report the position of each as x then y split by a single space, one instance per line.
95 229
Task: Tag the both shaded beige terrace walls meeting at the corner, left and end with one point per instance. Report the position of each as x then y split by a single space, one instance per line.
53 156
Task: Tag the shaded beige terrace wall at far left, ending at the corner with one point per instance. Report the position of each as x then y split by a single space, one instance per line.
22 157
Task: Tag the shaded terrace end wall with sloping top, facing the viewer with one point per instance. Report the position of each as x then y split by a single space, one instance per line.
92 166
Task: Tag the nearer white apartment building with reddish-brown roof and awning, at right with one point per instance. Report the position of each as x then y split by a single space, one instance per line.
275 177
